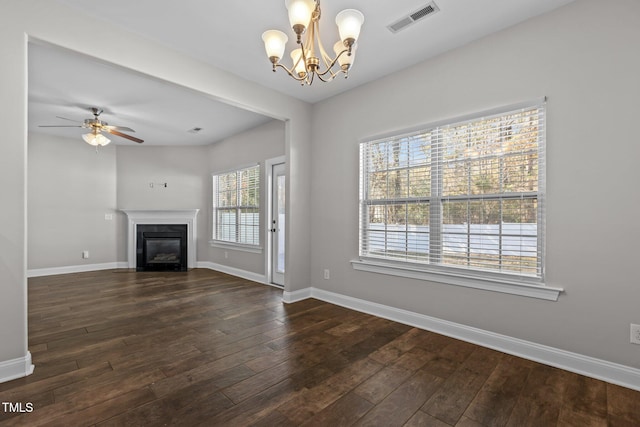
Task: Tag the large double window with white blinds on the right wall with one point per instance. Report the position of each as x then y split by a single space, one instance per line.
464 196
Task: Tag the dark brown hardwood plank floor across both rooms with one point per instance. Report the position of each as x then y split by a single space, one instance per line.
119 348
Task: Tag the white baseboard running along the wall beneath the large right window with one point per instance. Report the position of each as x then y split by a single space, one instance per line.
614 373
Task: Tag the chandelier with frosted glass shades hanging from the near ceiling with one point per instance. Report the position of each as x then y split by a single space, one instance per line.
311 58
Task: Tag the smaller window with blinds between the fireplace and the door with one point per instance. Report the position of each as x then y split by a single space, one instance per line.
236 206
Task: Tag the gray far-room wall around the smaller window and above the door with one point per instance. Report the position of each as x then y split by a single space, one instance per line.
254 146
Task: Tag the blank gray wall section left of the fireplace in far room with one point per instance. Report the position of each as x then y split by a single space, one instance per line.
70 189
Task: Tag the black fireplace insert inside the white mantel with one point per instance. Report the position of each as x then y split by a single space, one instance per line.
161 247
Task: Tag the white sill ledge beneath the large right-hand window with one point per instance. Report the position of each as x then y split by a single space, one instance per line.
508 286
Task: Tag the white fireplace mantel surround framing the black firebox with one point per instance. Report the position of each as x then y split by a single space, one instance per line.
182 216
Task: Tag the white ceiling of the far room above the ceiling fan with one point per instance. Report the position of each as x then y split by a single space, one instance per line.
66 84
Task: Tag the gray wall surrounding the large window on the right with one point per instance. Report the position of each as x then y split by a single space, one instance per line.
585 59
